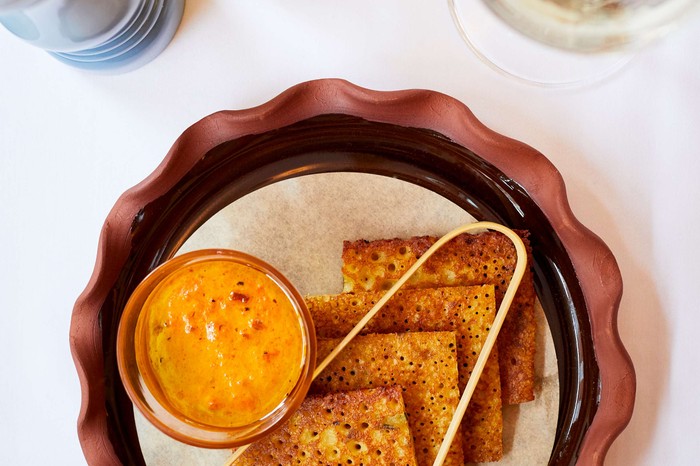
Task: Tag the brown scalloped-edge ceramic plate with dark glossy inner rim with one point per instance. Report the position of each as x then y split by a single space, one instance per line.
421 137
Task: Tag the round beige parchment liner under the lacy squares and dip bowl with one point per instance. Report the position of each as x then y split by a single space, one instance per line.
298 226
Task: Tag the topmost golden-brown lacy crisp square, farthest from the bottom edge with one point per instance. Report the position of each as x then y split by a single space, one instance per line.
485 258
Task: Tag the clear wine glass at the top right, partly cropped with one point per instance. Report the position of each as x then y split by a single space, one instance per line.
563 43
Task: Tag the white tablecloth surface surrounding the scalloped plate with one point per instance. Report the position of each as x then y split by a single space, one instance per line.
71 143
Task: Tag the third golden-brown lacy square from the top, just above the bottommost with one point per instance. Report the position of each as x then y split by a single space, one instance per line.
424 364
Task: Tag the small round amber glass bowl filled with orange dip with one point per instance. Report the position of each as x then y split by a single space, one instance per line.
216 348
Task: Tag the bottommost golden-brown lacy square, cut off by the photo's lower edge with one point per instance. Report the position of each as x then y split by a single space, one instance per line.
356 427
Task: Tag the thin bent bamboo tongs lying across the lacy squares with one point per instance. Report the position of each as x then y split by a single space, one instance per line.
518 273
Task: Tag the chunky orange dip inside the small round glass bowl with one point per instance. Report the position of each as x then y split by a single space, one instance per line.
223 342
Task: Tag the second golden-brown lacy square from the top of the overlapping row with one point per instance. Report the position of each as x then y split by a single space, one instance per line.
468 311
